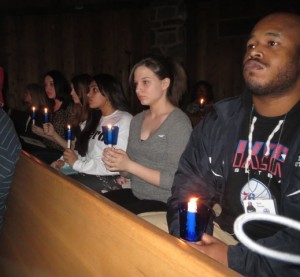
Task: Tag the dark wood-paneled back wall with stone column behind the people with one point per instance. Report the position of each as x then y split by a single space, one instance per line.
93 36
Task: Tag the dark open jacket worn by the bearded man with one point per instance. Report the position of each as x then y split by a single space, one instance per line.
203 171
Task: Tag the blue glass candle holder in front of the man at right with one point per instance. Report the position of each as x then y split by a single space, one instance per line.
193 223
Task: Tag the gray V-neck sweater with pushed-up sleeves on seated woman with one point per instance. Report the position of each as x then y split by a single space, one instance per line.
161 151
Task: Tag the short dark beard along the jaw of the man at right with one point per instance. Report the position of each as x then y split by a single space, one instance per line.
285 79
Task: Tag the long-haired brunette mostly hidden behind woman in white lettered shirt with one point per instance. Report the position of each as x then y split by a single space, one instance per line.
79 90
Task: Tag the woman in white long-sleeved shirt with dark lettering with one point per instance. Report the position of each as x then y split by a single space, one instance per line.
107 101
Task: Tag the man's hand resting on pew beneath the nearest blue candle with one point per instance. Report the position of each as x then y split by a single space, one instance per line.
213 248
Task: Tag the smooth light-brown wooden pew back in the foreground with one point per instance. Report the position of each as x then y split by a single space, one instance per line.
55 226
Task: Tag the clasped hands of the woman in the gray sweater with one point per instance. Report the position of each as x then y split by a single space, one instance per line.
115 159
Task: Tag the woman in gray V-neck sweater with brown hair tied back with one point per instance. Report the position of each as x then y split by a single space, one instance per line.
157 137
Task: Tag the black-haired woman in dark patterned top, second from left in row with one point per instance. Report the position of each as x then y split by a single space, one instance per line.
58 90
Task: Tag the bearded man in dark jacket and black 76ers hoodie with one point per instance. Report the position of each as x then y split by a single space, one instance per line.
248 148
